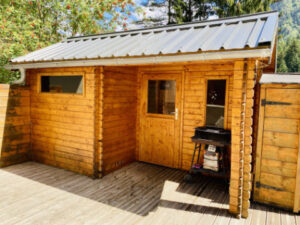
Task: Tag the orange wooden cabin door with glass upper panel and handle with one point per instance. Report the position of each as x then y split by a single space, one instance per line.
160 119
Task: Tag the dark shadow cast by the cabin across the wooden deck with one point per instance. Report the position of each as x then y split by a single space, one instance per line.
138 187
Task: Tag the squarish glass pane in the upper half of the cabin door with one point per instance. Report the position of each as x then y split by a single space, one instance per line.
161 96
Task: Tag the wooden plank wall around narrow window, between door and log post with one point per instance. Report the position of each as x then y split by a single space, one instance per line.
194 98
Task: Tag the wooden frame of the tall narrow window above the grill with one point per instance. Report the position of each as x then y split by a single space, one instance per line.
226 78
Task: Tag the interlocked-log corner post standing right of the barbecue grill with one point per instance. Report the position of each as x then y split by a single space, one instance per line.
241 149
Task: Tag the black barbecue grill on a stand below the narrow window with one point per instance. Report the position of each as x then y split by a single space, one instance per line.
216 138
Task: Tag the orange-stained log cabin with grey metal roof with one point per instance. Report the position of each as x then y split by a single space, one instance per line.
93 104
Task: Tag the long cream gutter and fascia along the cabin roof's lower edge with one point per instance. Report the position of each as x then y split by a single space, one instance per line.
219 55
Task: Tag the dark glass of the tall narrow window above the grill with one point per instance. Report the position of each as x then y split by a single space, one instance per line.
215 104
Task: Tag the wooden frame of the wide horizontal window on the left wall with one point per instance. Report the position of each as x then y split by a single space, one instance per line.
58 74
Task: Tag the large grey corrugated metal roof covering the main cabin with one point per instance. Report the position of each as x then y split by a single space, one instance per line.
242 32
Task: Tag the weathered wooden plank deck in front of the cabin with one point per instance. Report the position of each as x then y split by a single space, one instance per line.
151 193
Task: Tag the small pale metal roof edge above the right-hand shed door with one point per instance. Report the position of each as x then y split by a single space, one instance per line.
280 79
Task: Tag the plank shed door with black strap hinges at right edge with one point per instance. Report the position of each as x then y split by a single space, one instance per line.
277 160
